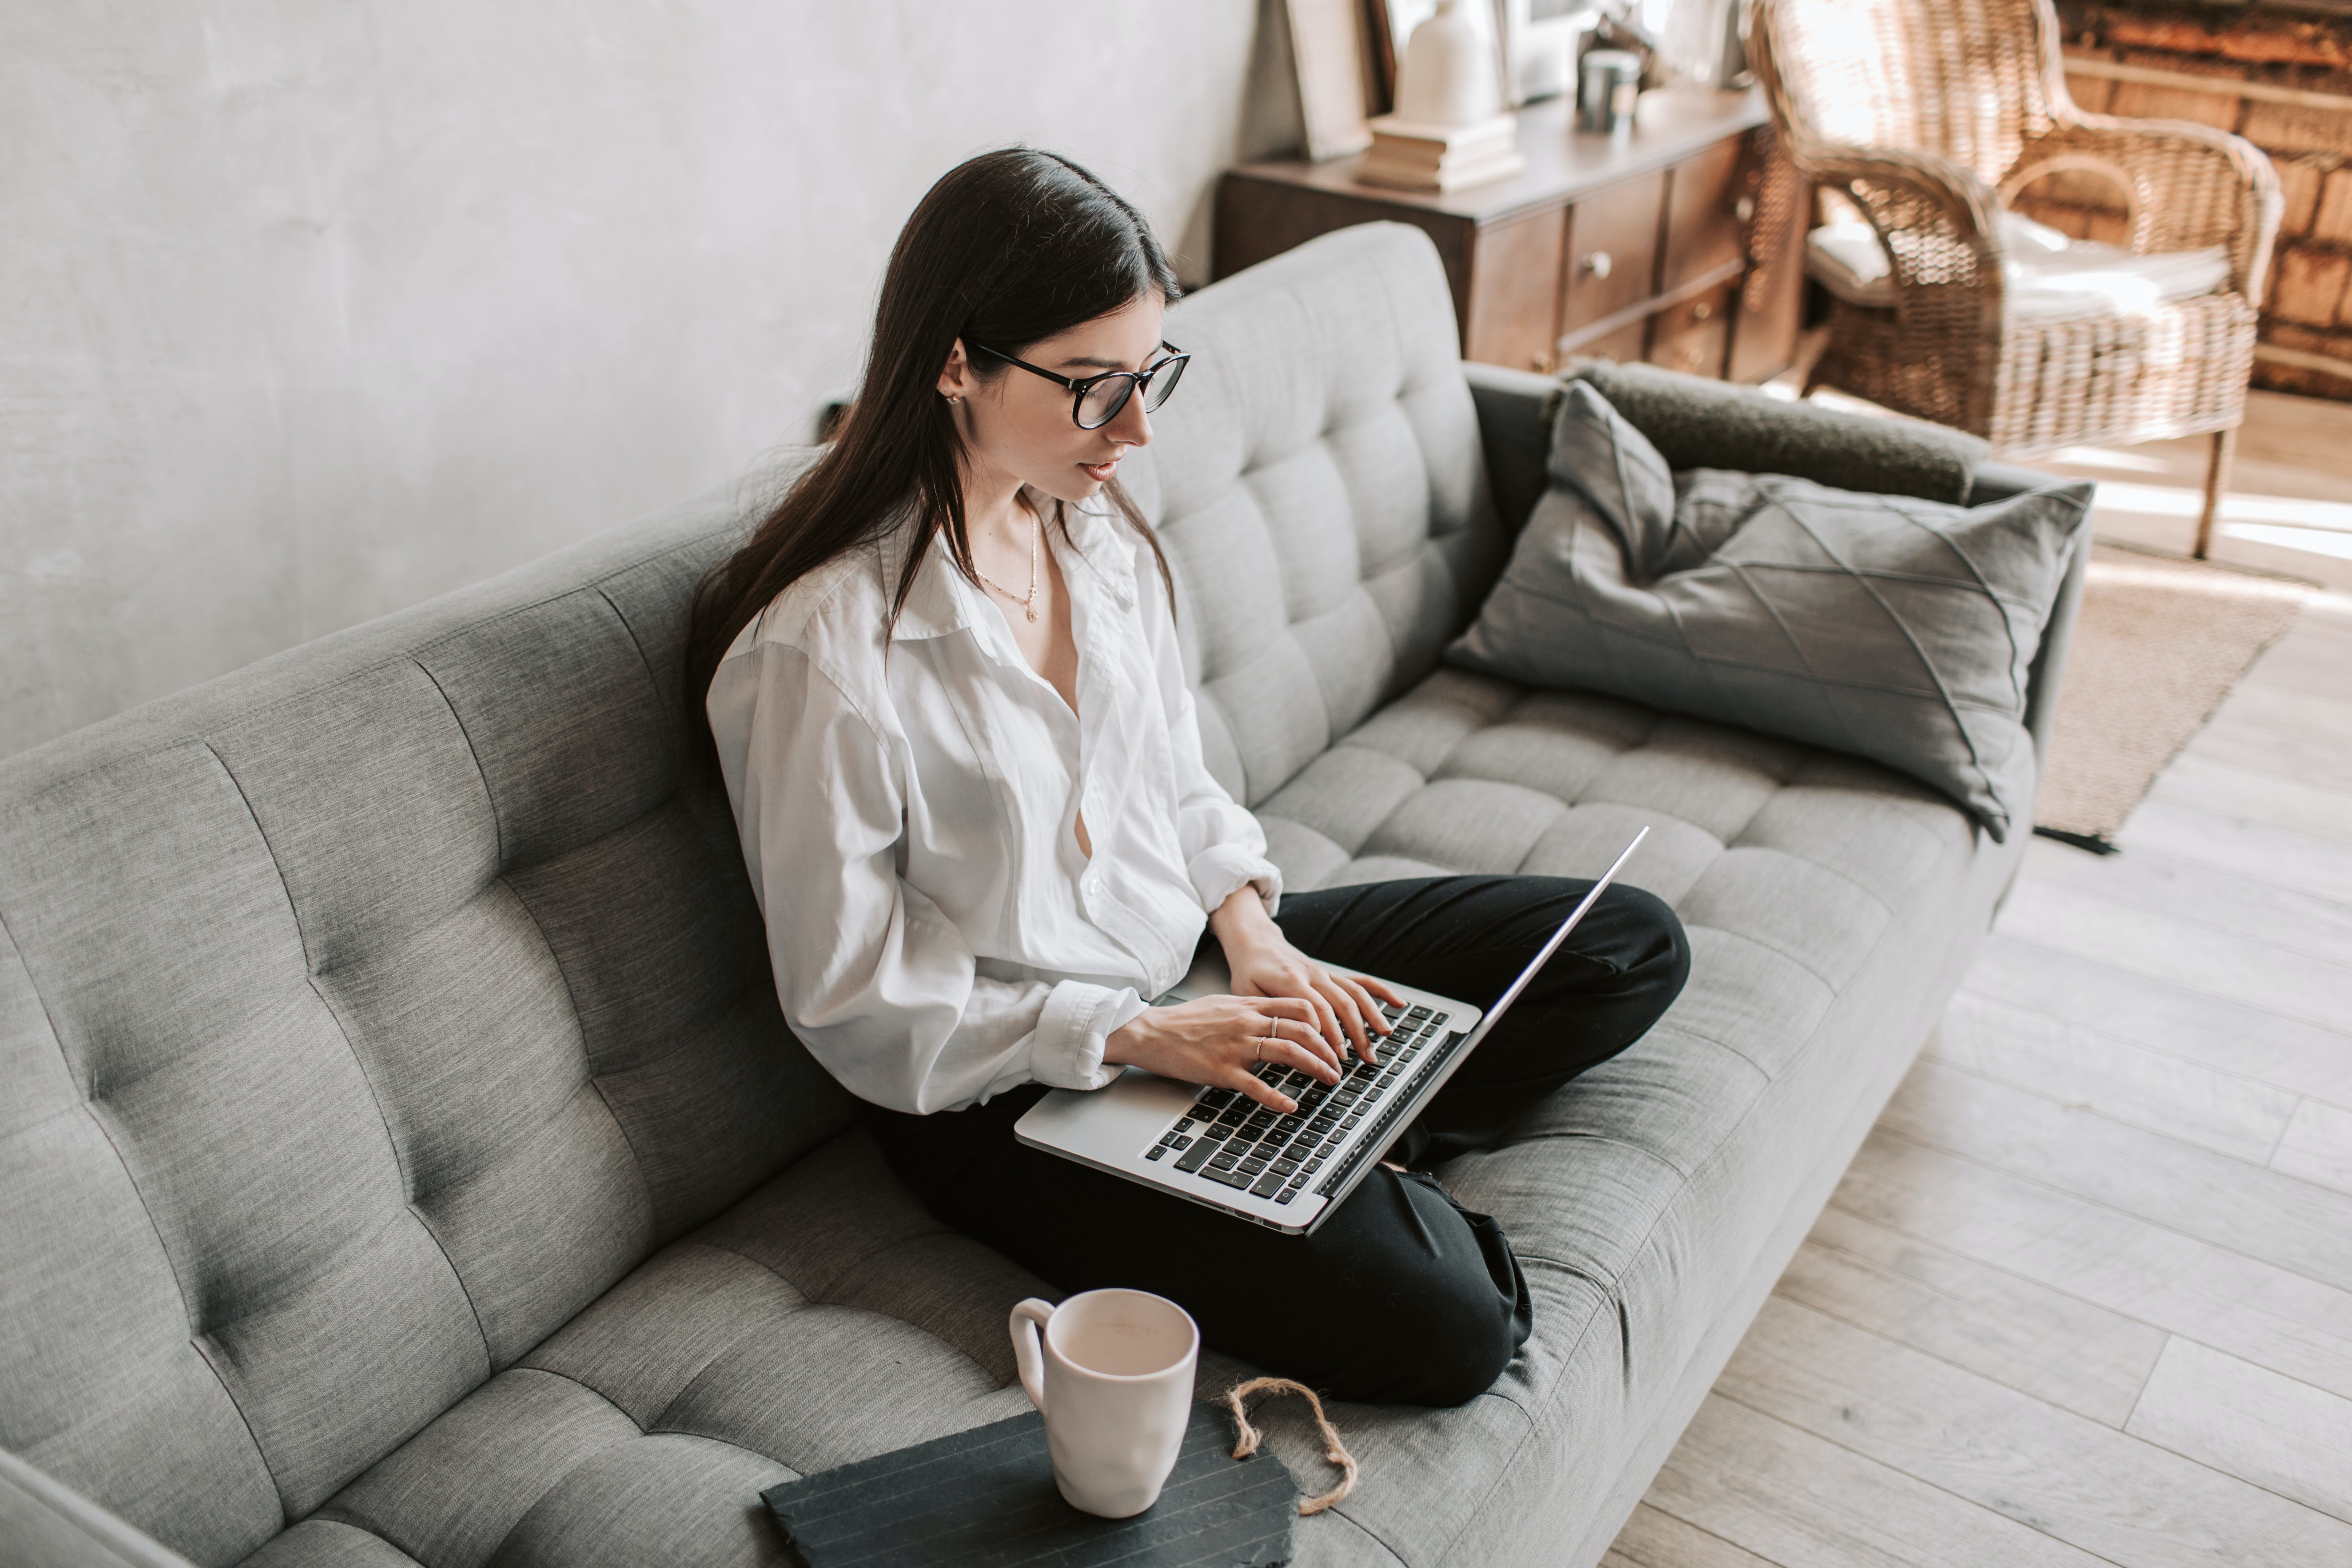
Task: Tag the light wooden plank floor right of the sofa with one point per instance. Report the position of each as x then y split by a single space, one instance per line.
2087 1292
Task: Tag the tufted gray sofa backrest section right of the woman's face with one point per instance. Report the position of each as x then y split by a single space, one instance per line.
1321 495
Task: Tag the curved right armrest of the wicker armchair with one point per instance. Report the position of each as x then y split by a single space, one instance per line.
2189 185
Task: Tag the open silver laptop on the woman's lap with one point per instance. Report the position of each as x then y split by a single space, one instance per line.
1222 1148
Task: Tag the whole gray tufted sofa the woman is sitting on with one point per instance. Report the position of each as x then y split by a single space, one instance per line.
406 1160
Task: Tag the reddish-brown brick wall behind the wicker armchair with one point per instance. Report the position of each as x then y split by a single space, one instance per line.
2308 309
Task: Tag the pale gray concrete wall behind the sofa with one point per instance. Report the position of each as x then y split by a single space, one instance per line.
314 309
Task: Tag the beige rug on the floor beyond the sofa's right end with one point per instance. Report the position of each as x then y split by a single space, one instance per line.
2158 648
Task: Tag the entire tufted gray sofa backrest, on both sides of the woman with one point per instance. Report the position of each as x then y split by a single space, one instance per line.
370 1012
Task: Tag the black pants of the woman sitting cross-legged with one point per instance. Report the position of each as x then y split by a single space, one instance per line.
1403 1294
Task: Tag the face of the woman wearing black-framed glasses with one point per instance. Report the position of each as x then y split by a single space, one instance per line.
1017 427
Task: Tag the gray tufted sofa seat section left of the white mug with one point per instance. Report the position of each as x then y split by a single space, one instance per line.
822 1320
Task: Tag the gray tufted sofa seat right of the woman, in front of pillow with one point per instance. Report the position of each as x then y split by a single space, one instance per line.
1822 897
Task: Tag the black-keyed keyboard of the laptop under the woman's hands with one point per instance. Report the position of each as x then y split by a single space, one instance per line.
1238 1144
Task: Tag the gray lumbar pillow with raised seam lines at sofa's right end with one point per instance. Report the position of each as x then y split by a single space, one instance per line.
1885 626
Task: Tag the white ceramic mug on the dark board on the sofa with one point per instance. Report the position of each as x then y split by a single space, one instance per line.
1114 1379
